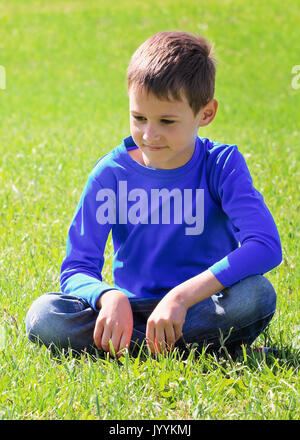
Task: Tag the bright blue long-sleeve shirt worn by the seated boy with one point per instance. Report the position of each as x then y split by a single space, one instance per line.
168 225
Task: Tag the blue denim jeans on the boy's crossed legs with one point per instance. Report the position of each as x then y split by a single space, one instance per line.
242 311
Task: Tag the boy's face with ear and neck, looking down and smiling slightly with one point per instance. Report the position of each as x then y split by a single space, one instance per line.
165 131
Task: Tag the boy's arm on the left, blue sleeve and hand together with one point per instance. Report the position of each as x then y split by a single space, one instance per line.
81 274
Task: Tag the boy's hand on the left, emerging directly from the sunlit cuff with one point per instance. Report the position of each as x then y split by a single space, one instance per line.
114 322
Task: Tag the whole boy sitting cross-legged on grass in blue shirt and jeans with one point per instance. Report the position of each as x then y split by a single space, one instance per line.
178 206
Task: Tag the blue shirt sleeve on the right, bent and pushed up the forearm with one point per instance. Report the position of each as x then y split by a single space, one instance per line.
260 247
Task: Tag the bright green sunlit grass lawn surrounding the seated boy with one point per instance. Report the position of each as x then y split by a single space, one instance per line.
64 106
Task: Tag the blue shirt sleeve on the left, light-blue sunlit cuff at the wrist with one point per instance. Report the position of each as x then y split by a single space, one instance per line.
82 266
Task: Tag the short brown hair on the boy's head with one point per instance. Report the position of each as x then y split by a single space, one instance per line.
171 62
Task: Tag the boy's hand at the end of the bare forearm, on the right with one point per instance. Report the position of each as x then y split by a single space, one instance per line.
164 326
